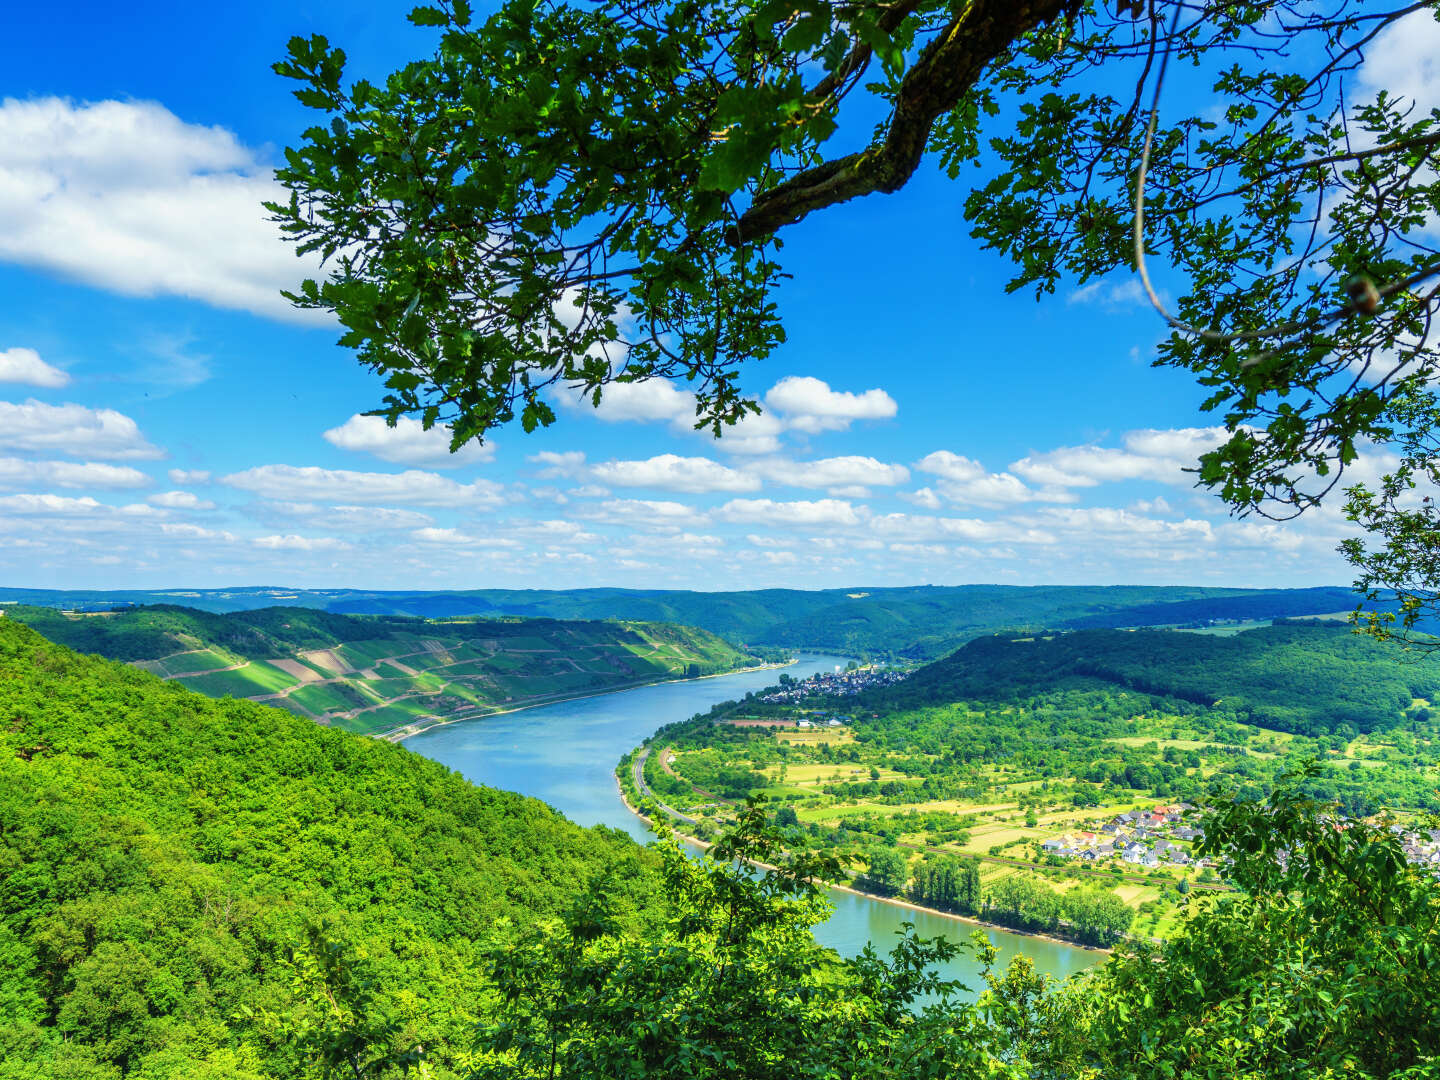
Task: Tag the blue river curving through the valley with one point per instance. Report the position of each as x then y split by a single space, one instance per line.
567 754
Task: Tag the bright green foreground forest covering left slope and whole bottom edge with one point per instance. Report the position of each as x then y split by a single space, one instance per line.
215 891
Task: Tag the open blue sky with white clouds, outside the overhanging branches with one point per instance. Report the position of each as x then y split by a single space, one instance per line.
168 420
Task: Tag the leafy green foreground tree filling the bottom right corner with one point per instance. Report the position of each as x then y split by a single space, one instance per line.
1323 967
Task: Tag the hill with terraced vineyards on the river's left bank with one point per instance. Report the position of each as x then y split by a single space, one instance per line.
378 675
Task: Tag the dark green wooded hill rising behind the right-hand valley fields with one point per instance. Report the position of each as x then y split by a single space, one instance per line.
1310 679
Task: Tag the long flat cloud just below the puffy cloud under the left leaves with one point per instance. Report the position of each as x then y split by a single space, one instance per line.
413 487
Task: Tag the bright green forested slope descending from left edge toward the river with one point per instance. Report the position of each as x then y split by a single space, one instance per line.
172 868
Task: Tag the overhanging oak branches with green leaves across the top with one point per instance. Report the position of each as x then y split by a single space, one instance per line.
572 195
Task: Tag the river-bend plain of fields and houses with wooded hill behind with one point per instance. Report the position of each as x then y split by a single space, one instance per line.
1075 794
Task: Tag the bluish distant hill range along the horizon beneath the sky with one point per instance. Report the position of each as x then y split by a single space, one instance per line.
921 623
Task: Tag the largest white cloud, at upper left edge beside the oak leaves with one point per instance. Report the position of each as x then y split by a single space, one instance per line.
129 198
